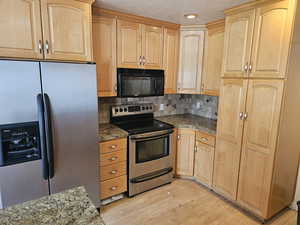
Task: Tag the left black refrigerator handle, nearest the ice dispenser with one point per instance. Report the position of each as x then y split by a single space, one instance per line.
42 136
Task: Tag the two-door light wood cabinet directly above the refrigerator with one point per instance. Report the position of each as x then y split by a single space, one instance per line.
66 33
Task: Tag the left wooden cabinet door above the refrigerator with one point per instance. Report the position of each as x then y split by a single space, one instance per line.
20 29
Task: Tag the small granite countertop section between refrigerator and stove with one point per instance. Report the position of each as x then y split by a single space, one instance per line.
109 132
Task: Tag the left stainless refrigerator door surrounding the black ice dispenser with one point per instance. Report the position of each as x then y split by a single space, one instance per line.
19 86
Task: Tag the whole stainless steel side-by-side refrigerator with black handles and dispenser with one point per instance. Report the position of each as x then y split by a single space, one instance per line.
48 130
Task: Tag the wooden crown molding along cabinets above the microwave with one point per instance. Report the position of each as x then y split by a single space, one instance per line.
97 11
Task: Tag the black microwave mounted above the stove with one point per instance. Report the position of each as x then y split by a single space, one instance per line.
140 82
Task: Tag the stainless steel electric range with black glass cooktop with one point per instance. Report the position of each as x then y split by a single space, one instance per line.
150 149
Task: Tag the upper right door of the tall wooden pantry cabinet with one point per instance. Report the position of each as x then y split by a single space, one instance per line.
271 40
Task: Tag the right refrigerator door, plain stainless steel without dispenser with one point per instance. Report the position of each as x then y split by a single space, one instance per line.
72 95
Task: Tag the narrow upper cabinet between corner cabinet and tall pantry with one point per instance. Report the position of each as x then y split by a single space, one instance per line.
213 58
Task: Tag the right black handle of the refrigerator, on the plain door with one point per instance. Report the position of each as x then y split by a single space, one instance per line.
49 135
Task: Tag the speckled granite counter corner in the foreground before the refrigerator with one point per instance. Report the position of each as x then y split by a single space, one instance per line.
71 207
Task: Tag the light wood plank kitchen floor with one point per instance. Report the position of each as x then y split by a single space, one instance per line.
183 202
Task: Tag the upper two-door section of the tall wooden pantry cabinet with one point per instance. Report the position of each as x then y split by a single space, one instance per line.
257 41
